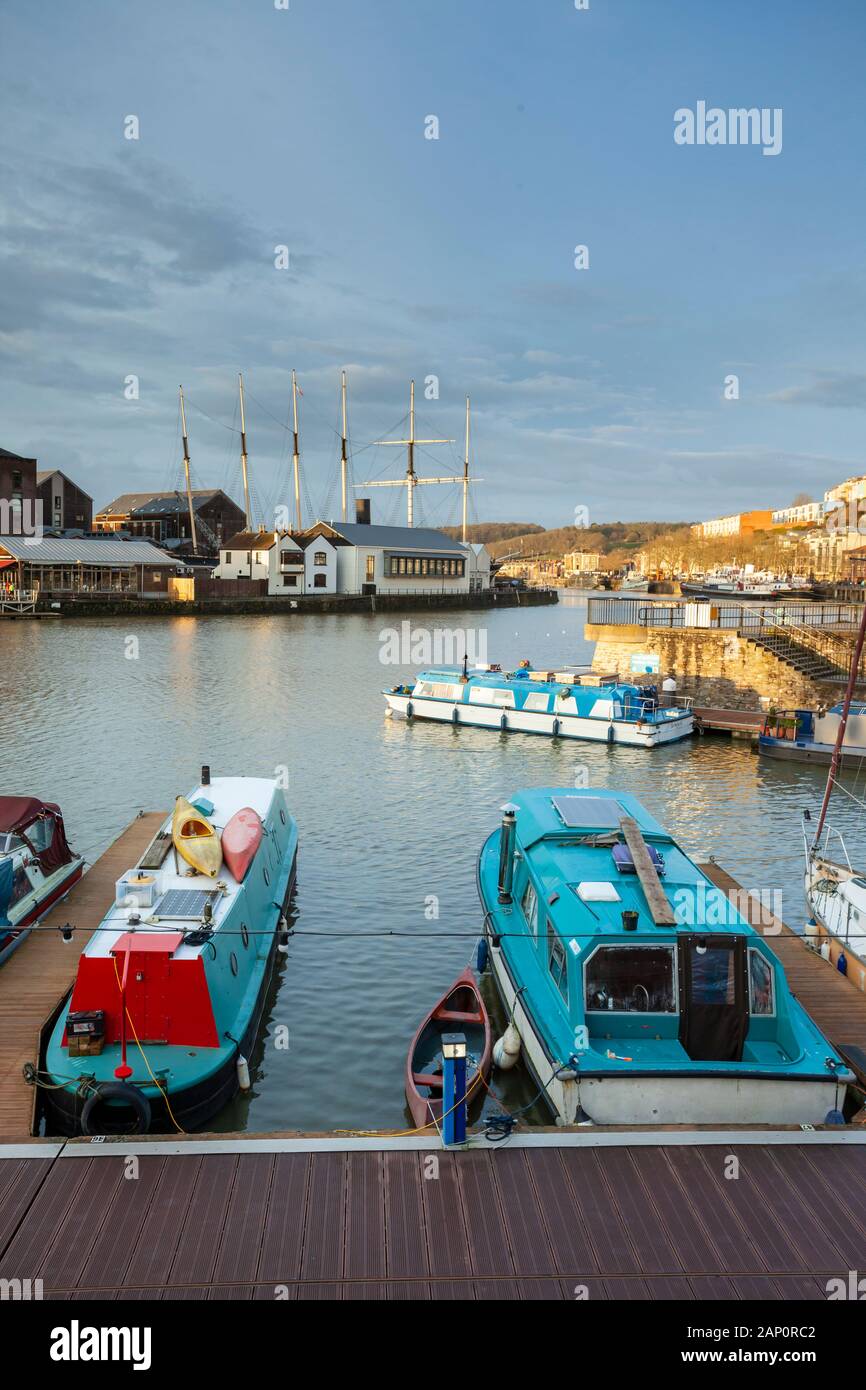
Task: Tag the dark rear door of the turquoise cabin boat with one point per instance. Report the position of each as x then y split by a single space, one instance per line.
714 997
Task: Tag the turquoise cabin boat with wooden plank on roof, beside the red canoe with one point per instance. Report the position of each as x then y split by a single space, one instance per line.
640 993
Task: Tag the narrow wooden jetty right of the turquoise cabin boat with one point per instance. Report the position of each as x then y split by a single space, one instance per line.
838 1006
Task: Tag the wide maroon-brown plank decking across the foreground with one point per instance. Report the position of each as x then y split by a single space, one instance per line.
642 1218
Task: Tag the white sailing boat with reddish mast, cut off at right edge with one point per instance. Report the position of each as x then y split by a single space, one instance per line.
836 892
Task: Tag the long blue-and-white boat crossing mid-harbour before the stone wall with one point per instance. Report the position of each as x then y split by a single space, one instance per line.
566 704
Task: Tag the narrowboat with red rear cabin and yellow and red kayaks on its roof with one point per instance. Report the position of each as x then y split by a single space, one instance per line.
170 989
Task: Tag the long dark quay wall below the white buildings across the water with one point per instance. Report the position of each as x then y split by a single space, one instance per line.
304 604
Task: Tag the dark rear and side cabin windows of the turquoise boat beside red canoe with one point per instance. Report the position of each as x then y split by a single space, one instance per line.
640 979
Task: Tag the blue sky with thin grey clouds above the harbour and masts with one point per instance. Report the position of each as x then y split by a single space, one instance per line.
598 389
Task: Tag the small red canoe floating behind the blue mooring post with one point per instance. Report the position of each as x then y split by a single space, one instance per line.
461 1010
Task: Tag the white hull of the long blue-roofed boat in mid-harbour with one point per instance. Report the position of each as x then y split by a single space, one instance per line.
569 726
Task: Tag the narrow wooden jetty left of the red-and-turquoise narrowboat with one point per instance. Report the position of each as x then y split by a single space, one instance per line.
40 974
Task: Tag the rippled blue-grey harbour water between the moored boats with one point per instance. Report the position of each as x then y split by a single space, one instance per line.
111 718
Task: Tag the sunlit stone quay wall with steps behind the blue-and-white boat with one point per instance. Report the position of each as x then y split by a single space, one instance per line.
718 668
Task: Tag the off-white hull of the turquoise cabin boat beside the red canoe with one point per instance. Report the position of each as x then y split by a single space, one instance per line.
675 1100
